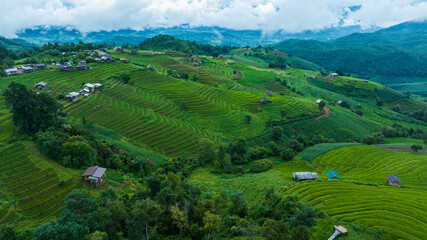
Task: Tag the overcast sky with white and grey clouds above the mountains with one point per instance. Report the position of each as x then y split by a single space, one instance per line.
268 15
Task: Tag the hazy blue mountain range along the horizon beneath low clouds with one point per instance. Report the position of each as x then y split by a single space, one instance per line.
208 35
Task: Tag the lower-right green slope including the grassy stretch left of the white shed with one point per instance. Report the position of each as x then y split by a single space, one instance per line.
362 195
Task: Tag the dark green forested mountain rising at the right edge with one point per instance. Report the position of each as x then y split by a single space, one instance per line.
400 50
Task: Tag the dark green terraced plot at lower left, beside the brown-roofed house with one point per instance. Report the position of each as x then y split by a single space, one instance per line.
35 193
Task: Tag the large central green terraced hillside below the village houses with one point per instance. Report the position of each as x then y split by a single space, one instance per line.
149 111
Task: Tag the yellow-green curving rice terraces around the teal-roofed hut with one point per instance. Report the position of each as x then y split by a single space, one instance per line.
363 196
